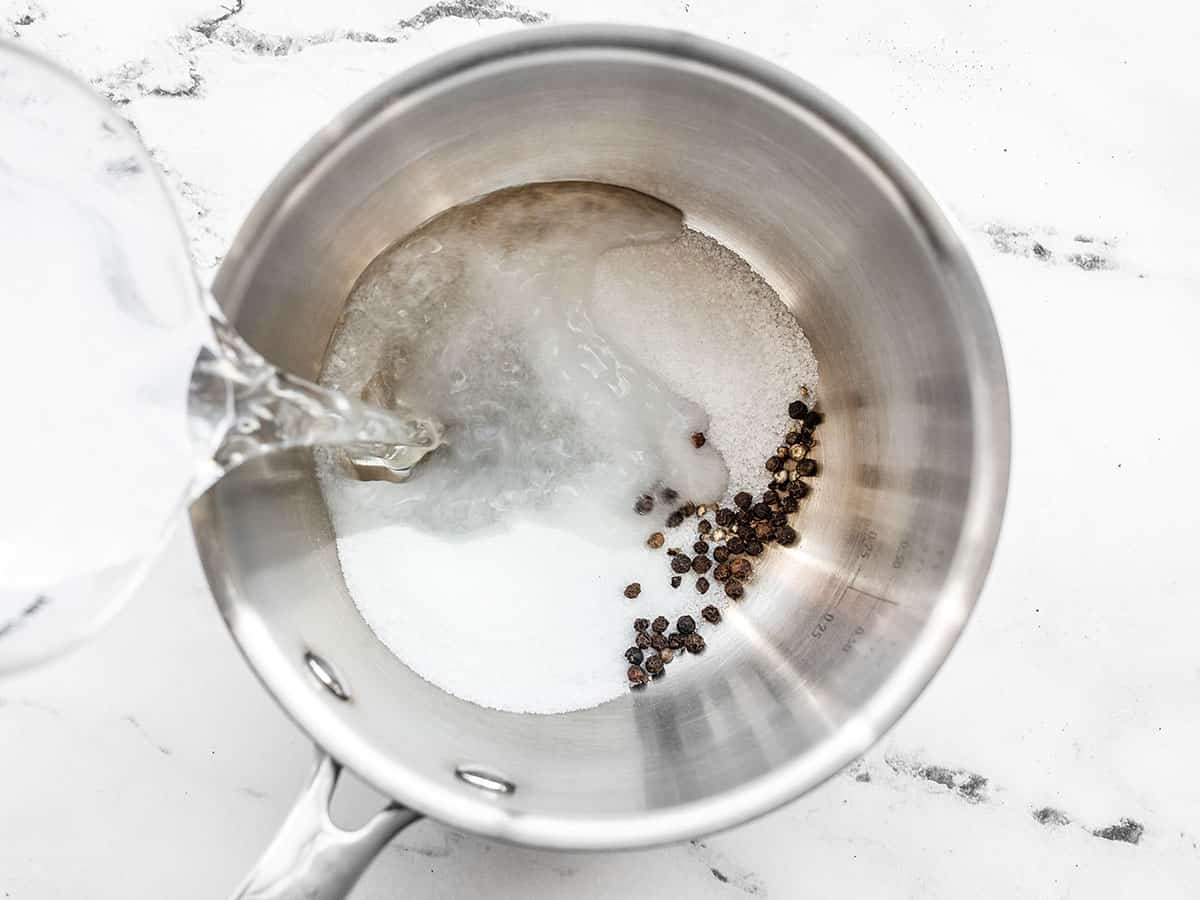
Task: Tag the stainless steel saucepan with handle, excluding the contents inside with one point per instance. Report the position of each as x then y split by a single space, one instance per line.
843 632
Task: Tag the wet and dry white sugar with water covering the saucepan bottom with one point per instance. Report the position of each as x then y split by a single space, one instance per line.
571 338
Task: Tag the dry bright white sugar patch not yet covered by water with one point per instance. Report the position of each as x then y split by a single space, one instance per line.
530 619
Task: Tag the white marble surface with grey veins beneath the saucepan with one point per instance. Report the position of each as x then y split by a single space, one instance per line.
151 765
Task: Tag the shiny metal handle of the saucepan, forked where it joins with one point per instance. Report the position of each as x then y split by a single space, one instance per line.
311 859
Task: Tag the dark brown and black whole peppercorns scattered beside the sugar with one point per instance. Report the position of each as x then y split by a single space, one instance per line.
728 538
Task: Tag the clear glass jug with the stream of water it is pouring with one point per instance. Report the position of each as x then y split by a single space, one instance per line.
124 392
